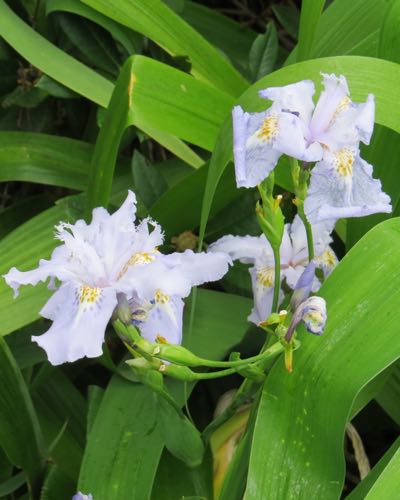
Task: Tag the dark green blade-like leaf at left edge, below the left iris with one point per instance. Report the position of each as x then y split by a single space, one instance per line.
20 435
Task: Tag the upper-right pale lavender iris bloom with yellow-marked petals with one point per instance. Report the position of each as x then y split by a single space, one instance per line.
328 133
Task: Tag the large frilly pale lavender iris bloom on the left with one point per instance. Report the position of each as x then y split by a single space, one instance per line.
97 261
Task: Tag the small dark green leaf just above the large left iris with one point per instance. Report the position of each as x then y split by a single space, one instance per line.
148 180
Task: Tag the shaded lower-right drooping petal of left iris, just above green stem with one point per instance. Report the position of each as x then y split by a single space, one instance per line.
163 322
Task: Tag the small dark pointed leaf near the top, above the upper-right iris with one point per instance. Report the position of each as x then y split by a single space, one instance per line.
263 53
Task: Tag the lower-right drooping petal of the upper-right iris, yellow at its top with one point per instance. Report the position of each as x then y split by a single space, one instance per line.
345 188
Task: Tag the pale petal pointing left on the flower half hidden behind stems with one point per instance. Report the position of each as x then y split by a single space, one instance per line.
247 249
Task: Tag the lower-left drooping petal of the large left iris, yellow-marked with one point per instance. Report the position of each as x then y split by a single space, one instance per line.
80 316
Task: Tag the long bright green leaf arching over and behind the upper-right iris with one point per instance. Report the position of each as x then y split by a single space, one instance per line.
365 75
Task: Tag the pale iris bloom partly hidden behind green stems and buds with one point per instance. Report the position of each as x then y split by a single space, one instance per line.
294 259
